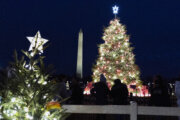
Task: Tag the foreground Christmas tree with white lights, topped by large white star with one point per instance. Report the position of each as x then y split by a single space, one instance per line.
28 92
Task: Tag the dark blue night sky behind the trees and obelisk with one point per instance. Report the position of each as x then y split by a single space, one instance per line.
154 27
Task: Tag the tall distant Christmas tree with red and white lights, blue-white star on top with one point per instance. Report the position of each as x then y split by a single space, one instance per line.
116 59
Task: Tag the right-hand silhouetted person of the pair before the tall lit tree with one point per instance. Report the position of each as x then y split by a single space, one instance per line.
119 93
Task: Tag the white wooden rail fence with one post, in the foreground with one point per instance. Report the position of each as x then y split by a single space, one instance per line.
133 110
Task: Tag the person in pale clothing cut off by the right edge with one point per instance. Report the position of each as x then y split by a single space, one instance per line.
177 92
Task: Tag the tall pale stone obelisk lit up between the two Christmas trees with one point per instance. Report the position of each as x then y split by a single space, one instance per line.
79 70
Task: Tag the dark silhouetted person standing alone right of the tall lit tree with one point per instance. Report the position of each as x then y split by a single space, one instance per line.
159 93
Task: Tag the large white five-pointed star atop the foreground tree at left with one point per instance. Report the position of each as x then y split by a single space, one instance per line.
37 43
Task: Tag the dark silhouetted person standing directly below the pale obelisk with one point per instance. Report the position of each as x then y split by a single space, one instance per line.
77 92
